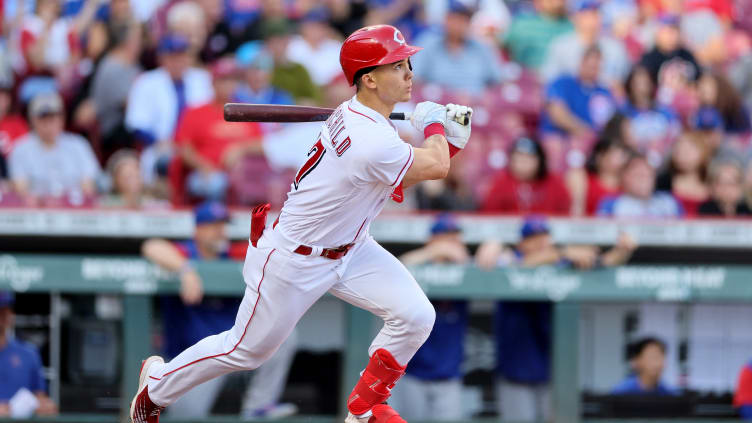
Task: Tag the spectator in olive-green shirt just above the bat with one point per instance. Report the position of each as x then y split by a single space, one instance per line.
288 75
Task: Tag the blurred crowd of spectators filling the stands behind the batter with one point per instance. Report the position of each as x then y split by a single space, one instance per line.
611 108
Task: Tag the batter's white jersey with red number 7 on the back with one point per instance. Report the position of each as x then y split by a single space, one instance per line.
355 163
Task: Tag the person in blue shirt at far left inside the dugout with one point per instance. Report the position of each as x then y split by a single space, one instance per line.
21 374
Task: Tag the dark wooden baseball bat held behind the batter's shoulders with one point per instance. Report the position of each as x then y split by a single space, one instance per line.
242 112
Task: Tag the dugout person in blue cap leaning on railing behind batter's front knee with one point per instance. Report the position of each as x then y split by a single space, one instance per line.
432 386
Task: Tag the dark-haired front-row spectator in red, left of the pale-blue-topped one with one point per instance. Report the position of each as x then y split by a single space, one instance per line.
600 179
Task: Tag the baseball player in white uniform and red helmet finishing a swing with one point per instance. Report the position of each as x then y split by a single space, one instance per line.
320 243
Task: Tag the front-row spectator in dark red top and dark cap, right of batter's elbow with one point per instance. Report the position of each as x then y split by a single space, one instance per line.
526 185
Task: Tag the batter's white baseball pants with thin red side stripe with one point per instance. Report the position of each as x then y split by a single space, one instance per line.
280 287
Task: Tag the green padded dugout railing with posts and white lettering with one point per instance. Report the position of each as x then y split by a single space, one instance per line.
137 282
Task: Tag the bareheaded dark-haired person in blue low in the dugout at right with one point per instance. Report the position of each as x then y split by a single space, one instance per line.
646 358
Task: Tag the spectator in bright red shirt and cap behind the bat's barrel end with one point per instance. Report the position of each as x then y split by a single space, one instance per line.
210 146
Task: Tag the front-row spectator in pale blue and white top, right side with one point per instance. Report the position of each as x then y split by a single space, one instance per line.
638 197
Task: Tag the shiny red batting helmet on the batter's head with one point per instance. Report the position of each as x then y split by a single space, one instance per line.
373 46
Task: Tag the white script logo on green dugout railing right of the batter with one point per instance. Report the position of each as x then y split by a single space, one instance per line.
556 285
